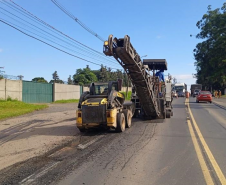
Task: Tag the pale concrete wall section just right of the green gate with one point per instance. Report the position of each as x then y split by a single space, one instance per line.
65 92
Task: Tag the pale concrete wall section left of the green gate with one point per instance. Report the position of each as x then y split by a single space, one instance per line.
11 88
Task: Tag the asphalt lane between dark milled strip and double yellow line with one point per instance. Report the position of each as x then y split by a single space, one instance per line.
150 152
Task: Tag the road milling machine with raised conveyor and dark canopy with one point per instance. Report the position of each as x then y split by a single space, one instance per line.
154 96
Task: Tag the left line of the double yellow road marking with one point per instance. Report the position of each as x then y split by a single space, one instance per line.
202 162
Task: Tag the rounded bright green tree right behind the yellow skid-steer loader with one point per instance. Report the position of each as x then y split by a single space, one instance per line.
84 76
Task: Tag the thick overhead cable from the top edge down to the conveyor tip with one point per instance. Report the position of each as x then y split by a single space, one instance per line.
77 20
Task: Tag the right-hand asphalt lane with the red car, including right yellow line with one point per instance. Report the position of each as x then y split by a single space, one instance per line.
211 121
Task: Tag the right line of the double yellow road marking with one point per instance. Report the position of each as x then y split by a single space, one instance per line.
207 150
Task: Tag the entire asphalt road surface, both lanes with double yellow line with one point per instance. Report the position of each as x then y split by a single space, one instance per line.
161 152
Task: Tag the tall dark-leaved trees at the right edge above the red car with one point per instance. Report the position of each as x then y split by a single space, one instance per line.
210 54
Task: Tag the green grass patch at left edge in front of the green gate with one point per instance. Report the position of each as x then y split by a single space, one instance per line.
10 108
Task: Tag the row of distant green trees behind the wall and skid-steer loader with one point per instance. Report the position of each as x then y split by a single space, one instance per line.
85 76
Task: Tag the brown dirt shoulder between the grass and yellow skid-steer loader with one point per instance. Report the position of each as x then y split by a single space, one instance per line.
34 134
